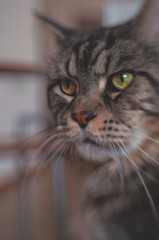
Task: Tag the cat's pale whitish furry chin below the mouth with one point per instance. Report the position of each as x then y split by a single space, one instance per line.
93 152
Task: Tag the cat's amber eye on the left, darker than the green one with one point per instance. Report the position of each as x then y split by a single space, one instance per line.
68 87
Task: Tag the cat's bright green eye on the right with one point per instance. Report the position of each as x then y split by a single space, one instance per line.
122 80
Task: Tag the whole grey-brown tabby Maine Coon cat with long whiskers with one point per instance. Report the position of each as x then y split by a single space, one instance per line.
103 92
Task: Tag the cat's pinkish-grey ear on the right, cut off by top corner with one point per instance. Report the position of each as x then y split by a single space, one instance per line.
148 20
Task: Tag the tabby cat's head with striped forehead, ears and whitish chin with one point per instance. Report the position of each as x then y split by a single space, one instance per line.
103 88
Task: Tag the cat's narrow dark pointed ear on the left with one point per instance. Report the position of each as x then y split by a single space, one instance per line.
60 31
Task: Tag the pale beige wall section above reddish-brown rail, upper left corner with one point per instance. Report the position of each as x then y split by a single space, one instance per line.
17 33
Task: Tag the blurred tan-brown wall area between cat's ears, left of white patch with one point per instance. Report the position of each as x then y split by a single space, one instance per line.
75 13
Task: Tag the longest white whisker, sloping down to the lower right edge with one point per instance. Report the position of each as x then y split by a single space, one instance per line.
155 214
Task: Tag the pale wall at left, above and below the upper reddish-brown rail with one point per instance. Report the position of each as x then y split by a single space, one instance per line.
19 93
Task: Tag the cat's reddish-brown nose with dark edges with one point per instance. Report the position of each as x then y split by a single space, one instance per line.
83 118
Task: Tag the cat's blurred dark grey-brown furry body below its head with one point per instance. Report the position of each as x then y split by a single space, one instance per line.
118 215
